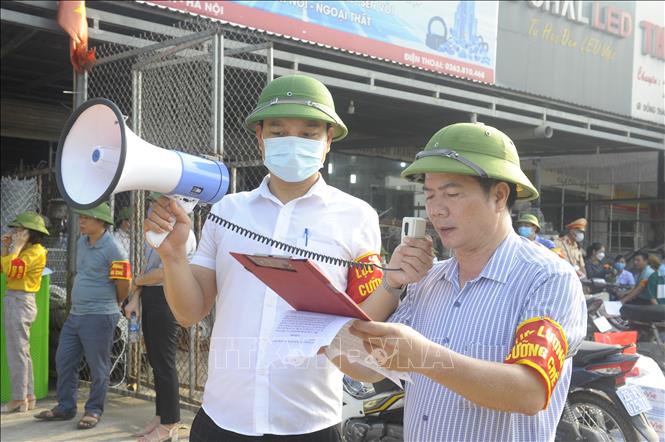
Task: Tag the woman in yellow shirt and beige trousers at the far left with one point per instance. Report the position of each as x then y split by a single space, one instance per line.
23 261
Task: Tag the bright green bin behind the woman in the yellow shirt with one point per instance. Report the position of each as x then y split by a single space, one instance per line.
38 343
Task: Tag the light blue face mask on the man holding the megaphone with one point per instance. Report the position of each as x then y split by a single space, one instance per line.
293 159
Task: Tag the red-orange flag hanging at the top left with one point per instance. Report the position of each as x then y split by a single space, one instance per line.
71 18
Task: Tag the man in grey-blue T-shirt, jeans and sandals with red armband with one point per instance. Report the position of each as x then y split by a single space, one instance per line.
100 286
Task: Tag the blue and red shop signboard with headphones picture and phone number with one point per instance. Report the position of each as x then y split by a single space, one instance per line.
451 37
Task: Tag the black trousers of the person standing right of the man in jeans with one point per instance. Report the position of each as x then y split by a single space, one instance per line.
160 333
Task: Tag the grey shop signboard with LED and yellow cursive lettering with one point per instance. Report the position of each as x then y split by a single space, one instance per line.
574 51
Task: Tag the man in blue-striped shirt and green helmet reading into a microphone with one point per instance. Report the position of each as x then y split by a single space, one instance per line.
488 335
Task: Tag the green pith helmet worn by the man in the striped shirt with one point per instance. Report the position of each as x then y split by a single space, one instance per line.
473 149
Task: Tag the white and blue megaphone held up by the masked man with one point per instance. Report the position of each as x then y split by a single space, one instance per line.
99 156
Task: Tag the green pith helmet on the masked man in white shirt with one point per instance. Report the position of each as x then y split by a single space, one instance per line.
297 96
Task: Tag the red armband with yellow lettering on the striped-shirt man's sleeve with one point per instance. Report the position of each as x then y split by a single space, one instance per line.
541 344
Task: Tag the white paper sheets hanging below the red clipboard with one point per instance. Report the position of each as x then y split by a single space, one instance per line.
299 336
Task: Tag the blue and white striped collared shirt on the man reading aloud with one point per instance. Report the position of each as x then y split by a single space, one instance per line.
521 280
